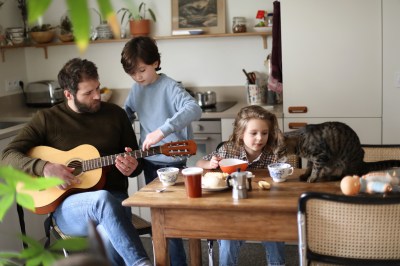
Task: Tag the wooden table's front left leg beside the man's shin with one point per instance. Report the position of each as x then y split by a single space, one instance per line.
160 243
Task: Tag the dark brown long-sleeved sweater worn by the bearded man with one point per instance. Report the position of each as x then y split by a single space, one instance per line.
109 130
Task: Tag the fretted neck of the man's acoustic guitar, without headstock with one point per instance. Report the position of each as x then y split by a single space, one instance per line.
91 164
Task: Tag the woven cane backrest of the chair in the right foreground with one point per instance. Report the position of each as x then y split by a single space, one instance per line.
349 230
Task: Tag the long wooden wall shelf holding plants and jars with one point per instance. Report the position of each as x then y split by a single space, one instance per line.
44 46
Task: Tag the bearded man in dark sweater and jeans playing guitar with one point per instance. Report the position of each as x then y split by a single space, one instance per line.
84 119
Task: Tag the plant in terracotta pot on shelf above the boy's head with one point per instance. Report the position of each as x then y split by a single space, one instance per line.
139 25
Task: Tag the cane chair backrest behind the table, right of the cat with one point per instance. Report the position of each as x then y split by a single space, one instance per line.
375 153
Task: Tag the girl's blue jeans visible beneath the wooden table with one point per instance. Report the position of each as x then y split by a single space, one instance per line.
229 252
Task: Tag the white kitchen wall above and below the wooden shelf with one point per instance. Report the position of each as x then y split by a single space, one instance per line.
195 62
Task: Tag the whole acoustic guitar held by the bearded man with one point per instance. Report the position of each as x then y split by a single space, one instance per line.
88 167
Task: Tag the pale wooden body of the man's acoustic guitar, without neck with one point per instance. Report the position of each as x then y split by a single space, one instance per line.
47 200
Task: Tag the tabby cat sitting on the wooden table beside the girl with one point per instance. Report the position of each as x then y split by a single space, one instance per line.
333 150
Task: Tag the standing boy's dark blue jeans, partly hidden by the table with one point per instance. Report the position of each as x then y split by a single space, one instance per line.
175 245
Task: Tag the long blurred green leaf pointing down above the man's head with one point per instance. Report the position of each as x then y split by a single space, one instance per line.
79 12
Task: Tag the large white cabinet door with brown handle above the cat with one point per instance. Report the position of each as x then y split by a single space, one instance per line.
332 61
